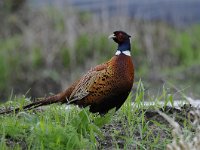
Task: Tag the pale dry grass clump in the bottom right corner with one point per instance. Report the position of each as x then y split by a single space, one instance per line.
184 139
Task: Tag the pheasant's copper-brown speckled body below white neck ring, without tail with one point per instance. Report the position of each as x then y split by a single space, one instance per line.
106 86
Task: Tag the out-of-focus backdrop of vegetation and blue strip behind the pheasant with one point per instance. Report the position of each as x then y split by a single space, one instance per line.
44 46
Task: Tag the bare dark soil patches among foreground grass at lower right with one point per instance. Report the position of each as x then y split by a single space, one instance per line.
180 115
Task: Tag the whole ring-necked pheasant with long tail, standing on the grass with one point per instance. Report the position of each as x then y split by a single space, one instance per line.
103 87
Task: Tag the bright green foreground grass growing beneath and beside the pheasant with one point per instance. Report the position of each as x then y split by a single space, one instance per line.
55 127
